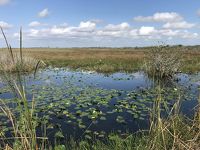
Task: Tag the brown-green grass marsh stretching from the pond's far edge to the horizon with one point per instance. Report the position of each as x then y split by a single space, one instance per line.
107 60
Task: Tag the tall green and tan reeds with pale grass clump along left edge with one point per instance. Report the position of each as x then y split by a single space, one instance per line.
24 121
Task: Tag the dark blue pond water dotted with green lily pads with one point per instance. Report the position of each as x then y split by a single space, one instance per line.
83 104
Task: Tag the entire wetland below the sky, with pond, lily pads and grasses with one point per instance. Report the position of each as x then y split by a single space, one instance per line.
101 99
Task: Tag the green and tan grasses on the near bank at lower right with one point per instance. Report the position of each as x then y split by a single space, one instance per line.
173 132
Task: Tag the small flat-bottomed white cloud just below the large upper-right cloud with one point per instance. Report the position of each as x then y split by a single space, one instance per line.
178 25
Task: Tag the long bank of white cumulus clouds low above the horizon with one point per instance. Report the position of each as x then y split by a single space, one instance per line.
88 30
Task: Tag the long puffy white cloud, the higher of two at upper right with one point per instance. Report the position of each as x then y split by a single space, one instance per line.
160 17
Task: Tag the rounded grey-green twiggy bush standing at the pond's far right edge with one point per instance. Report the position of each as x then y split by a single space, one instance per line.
163 61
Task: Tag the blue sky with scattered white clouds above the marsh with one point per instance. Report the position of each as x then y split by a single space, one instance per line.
100 23
